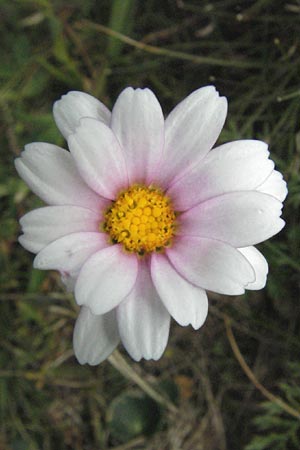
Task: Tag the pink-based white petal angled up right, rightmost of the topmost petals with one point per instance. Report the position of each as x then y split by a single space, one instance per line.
191 130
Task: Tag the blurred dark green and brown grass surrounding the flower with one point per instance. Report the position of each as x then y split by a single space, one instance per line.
251 51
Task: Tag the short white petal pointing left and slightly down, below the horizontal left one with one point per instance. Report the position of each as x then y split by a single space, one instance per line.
69 253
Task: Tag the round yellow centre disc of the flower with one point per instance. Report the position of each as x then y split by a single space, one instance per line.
142 219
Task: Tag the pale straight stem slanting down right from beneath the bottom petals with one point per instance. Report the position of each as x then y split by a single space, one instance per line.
119 363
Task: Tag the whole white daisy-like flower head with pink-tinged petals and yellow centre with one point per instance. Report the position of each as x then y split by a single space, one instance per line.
145 216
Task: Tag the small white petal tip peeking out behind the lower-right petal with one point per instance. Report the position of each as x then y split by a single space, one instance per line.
260 266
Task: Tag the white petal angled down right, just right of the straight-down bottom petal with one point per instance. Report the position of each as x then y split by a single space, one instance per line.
186 302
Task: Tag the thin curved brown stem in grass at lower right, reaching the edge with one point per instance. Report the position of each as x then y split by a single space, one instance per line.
273 398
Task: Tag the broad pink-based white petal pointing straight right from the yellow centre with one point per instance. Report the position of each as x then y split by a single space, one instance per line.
238 218
